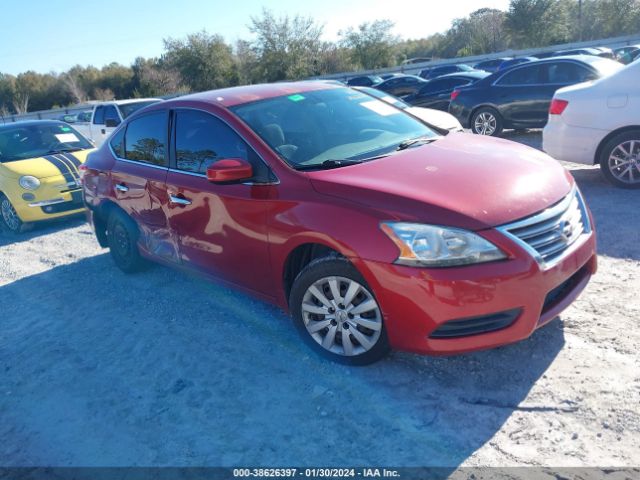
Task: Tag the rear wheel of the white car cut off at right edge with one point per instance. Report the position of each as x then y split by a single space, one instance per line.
620 160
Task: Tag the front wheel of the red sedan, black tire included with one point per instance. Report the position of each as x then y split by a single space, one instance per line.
322 320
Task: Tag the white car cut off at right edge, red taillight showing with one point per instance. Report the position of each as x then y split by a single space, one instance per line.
598 123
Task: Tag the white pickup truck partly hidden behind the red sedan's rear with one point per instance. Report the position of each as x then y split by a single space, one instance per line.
106 116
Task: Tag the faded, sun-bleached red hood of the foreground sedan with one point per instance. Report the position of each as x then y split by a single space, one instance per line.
461 180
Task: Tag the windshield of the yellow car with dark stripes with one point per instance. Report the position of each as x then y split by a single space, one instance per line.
18 142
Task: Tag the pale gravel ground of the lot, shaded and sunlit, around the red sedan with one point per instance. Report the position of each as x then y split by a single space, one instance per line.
162 368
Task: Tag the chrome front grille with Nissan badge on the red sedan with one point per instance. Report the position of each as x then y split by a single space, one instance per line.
549 235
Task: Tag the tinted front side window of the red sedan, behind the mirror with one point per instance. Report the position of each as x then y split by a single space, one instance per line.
202 139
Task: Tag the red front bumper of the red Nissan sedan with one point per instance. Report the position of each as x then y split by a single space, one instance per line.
416 302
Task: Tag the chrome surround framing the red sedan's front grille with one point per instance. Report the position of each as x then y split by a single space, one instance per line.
550 212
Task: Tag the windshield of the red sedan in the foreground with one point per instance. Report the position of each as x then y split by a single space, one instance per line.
336 124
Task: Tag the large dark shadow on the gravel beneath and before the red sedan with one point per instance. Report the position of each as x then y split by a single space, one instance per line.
161 368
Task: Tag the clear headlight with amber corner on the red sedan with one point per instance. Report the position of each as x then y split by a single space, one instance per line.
434 246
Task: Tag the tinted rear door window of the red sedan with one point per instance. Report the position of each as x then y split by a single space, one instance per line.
146 139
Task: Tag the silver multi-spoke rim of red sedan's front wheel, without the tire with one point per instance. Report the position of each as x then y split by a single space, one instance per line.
342 316
